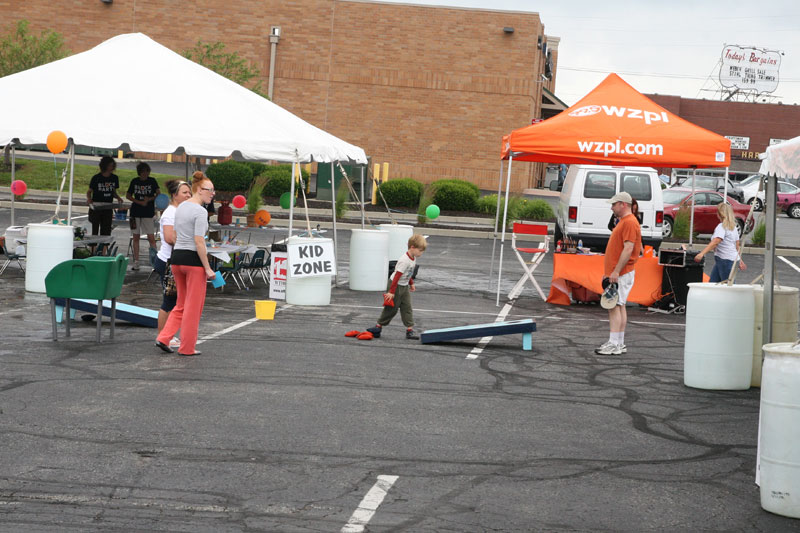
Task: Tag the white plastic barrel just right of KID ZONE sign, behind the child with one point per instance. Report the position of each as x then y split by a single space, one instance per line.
369 260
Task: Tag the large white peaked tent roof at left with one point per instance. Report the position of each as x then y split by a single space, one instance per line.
132 90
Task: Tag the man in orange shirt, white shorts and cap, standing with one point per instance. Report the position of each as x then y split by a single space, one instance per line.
622 251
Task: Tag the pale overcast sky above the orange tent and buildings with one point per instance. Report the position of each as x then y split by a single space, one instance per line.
659 47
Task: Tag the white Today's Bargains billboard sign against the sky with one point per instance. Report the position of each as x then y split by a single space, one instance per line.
749 69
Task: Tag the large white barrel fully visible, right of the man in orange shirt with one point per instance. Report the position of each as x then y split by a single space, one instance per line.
718 349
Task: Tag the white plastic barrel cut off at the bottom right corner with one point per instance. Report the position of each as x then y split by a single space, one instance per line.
778 450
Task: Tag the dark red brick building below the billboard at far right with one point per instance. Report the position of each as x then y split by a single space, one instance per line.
752 126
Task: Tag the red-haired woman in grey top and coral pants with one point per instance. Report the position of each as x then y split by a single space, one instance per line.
190 267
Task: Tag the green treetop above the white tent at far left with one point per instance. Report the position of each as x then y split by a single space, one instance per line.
21 50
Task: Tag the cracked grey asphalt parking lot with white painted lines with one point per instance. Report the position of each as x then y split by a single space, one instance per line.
287 425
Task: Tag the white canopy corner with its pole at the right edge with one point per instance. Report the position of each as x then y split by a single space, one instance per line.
779 161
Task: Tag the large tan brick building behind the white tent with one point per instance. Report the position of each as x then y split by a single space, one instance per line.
430 90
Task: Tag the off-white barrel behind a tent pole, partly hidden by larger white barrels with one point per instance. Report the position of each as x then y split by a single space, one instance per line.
786 302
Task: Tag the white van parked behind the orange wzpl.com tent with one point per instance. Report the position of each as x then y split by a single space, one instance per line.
583 210
